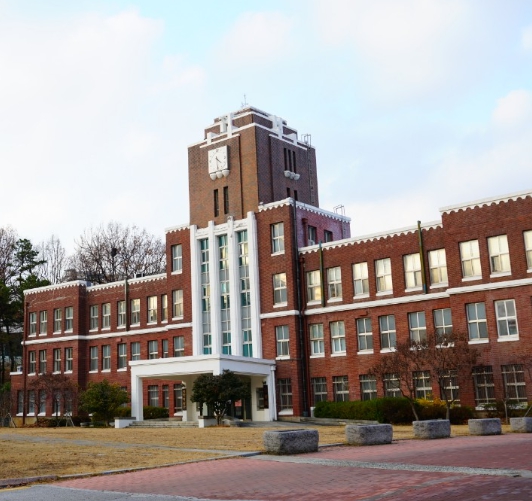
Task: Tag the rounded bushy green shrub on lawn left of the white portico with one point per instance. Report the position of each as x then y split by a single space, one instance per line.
103 399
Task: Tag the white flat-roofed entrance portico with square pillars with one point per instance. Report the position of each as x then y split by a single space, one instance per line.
261 373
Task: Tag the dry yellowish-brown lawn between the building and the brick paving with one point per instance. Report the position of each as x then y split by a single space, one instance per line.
29 452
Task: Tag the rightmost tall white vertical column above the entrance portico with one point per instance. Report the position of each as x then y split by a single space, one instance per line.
254 285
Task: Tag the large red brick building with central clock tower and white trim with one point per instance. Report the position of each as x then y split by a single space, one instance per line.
265 283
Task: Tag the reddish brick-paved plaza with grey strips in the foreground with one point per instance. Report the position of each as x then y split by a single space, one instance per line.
461 468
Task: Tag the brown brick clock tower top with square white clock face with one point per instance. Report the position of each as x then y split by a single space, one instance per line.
246 158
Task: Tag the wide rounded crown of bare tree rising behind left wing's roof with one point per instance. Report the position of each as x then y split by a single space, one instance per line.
114 252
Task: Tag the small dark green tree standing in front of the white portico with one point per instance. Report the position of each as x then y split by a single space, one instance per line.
218 391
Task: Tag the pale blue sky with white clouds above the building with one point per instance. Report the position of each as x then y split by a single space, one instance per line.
412 105
